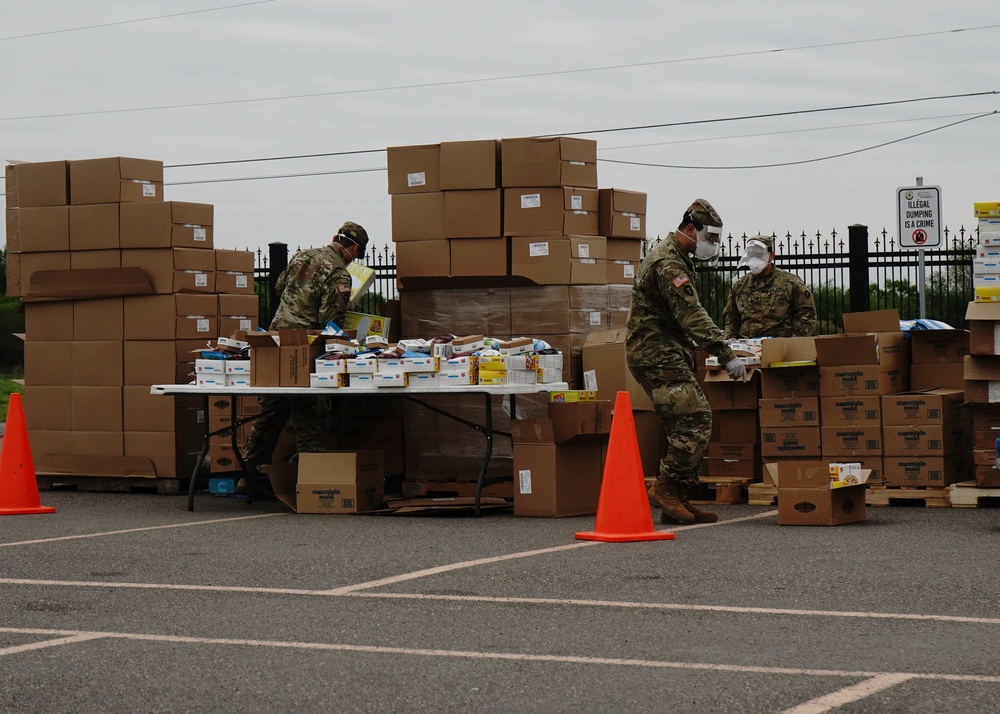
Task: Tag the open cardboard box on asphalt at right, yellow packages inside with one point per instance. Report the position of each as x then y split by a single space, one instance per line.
805 496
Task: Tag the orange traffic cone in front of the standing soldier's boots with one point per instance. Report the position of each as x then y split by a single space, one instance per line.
623 507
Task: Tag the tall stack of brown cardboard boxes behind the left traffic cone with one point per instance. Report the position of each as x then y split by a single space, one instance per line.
119 287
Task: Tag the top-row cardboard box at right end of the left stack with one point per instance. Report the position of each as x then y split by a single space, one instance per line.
114 180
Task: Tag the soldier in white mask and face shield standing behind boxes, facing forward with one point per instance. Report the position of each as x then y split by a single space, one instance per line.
767 301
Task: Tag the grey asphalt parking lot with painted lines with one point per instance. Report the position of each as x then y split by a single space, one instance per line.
128 602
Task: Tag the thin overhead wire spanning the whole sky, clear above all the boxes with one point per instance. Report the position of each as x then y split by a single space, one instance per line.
532 75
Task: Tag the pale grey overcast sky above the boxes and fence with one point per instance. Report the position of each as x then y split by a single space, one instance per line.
292 77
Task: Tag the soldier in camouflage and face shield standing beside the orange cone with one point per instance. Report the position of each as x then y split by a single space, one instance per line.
665 322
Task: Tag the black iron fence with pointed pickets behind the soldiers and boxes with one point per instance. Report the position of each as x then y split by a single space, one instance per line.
855 273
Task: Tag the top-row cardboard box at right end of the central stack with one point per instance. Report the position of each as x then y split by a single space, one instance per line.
555 161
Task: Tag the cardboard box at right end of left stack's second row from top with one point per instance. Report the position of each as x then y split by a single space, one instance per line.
172 224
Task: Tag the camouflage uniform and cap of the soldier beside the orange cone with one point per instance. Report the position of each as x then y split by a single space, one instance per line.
665 321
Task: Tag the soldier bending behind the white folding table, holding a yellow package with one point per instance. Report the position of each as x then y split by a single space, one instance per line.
315 288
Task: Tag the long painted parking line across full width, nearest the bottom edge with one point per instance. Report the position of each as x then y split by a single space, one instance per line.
515 656
